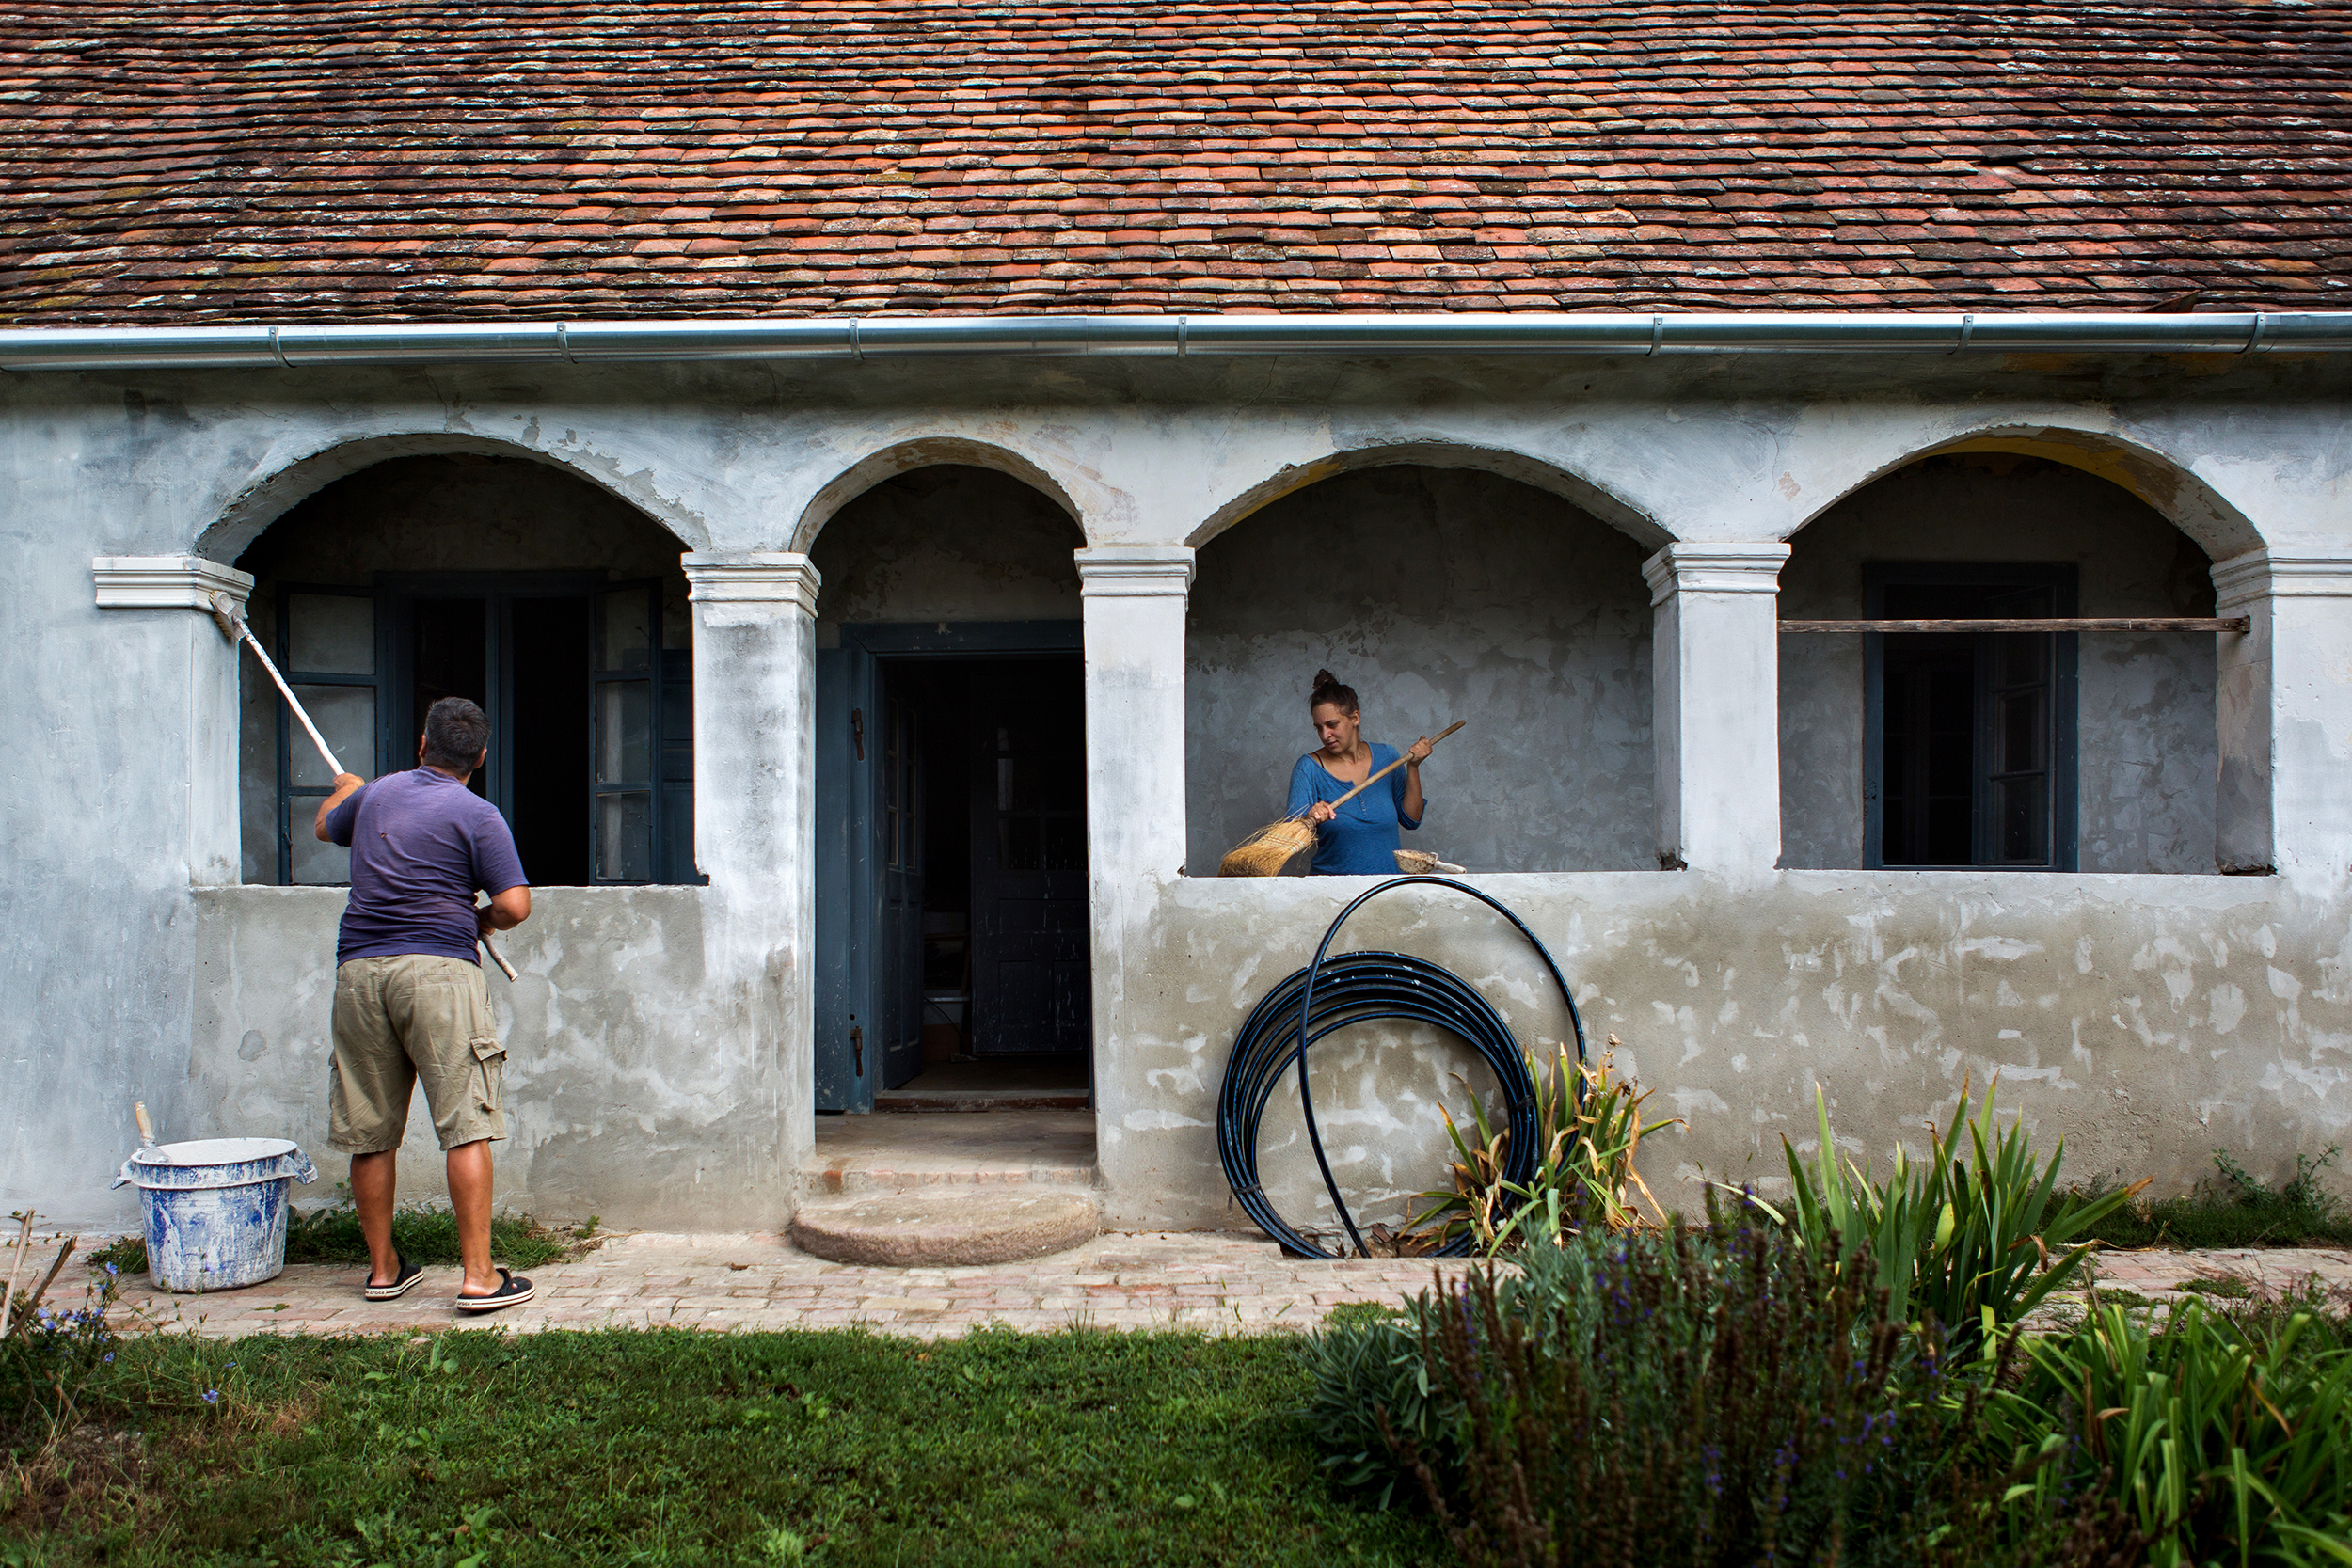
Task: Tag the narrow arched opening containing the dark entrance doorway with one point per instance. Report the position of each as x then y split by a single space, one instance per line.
951 800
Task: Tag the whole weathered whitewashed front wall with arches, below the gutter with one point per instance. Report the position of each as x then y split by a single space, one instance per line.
664 1038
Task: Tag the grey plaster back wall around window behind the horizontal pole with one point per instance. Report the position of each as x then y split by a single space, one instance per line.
2146 716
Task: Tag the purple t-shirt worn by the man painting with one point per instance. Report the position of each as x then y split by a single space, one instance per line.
420 847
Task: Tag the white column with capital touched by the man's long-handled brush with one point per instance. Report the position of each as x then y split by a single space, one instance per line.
175 596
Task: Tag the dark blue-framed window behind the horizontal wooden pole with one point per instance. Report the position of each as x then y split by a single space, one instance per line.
1970 739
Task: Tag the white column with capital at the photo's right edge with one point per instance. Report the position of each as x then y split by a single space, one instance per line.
2285 716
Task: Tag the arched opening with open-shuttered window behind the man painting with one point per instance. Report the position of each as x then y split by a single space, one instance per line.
552 603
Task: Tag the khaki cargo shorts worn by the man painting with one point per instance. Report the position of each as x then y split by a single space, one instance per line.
399 1021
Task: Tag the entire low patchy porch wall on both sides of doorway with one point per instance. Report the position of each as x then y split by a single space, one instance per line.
2144 1019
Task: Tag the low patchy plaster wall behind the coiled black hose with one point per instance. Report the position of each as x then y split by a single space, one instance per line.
2144 1019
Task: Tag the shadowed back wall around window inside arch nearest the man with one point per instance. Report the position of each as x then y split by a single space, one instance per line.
432 514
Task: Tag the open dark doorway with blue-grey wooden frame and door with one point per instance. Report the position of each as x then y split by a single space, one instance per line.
954 843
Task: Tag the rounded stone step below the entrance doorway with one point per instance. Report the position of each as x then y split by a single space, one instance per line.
949 1228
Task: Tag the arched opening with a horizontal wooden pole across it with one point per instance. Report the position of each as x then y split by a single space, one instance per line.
2022 751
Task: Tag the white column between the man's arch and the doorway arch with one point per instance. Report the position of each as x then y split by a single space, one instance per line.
756 822
